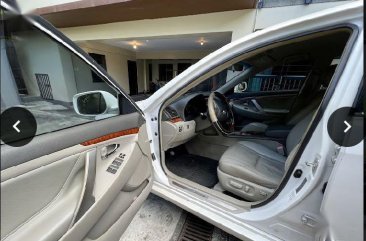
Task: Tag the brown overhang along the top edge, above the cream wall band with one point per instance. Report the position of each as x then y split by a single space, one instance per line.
90 12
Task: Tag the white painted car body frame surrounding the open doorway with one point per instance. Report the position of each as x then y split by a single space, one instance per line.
285 216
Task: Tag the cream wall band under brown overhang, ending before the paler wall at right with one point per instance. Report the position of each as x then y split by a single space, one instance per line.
239 22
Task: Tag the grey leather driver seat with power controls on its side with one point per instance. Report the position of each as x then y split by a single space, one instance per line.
253 171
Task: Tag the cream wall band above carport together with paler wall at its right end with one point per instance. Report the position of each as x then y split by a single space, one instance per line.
239 22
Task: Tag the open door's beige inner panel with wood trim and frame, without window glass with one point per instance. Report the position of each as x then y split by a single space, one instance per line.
62 185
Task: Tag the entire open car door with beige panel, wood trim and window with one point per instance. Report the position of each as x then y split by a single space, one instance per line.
86 169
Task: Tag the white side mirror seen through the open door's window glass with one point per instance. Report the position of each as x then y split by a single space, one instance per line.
95 103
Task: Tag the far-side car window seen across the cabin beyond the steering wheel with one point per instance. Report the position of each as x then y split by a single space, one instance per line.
285 77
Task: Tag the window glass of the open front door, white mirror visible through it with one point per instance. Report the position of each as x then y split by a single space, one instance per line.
55 85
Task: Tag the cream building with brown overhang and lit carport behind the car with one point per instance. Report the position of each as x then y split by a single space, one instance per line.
143 44
